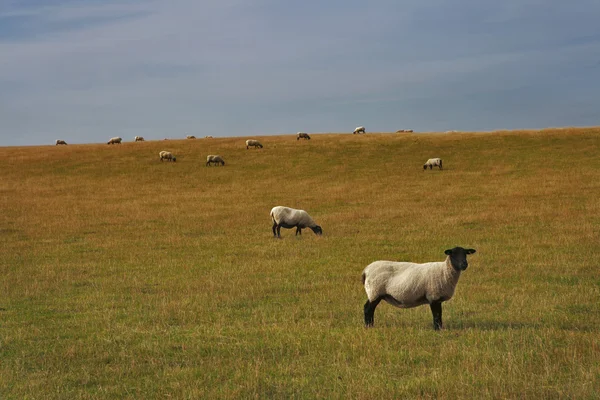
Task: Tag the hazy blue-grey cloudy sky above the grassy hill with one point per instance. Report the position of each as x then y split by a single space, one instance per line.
87 70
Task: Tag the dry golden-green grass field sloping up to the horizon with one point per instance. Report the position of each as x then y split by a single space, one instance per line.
124 277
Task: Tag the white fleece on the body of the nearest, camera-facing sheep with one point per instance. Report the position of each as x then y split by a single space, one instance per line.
410 284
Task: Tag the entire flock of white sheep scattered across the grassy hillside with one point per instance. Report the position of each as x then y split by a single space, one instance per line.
401 284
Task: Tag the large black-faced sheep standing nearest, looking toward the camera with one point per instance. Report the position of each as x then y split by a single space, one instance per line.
407 285
